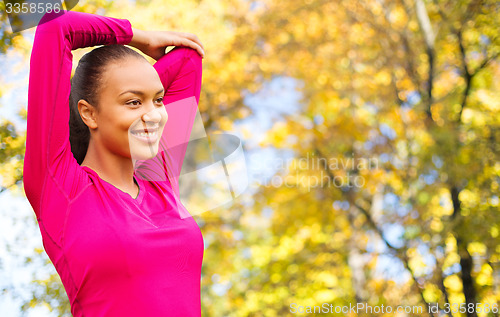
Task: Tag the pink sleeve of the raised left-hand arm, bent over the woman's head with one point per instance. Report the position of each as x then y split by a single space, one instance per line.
48 155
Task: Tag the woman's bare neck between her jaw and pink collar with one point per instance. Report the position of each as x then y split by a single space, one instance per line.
114 169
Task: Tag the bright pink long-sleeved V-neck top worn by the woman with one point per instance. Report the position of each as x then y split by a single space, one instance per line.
116 255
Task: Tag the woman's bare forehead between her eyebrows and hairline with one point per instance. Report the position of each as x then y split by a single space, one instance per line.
130 73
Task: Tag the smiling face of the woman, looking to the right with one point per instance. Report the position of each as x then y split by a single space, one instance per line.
131 115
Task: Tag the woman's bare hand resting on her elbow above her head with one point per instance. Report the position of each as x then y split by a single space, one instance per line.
154 43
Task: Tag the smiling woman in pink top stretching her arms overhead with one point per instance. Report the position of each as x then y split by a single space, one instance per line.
117 240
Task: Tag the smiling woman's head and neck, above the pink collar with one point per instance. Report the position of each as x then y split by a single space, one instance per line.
127 109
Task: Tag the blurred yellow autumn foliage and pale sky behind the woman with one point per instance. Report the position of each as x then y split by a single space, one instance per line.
371 134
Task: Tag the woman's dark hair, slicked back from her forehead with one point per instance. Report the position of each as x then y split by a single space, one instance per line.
86 84
